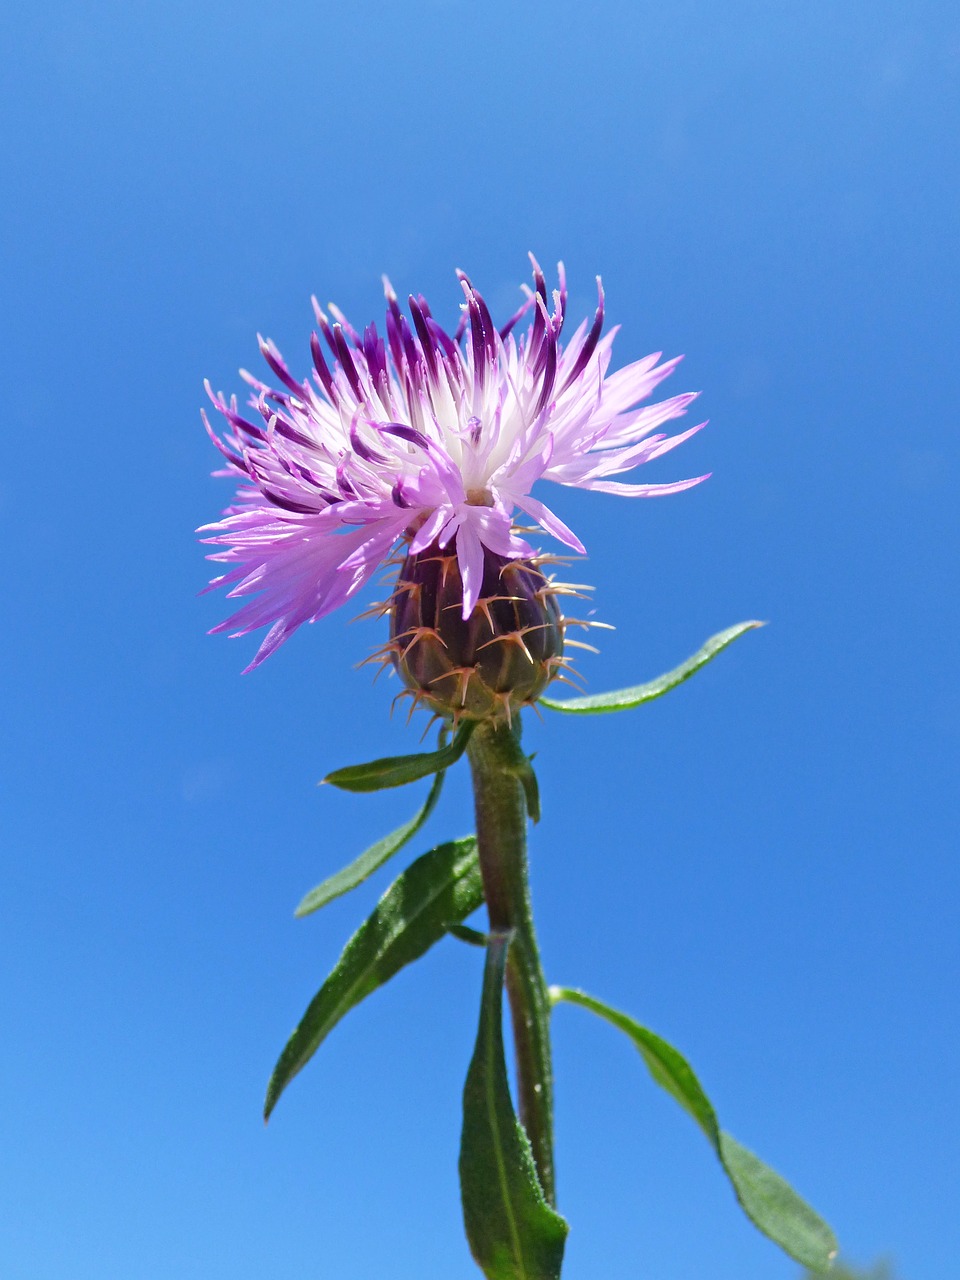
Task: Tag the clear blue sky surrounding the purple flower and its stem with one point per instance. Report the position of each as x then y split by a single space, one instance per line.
762 867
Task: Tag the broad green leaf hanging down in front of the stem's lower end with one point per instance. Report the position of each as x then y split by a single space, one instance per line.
514 1233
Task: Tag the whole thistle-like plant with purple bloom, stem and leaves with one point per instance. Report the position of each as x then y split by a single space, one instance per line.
419 451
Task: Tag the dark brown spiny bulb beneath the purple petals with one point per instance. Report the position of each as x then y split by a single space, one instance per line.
487 666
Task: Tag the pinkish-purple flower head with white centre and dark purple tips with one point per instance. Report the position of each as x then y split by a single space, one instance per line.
426 437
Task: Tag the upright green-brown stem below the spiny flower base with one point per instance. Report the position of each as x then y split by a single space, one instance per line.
499 764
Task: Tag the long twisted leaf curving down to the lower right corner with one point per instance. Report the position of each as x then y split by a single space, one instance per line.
767 1200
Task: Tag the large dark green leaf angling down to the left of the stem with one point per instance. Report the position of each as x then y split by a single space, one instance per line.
440 889
